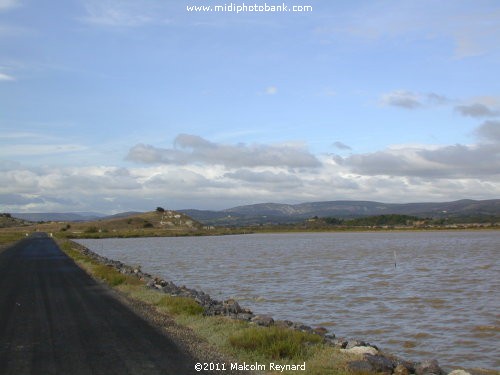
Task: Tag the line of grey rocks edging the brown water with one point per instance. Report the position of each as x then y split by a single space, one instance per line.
371 358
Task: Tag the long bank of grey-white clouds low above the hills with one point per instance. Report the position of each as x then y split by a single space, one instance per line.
198 173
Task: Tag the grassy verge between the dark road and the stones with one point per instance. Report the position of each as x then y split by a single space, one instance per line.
236 339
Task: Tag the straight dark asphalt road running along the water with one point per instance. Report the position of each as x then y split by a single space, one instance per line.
55 319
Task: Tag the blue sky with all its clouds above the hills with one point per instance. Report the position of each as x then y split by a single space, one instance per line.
116 105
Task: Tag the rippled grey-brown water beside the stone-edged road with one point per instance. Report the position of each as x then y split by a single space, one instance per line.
441 301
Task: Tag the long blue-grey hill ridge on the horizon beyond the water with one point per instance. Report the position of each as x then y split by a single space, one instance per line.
275 213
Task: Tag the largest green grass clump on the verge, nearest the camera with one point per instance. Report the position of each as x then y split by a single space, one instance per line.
274 342
